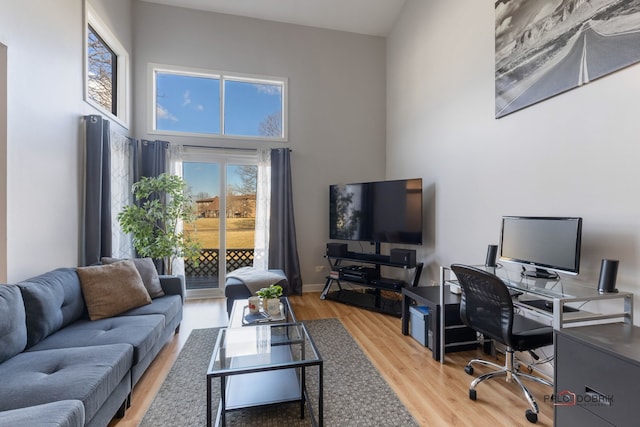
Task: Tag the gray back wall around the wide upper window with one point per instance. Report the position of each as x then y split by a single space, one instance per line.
336 98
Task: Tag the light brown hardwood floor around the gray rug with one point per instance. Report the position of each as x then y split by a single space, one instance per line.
435 394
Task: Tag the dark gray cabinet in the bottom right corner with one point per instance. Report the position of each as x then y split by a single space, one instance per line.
596 373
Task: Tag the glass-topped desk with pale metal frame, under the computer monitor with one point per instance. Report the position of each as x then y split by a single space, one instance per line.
562 292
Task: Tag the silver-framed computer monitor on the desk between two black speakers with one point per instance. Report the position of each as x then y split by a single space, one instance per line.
549 244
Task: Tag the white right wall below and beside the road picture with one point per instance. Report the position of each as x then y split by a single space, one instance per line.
574 155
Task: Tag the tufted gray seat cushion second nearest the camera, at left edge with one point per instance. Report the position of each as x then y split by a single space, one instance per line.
88 374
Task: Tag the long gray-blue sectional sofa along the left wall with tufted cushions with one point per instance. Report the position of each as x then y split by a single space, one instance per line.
59 367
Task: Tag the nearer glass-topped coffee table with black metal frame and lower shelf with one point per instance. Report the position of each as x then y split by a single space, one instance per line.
261 365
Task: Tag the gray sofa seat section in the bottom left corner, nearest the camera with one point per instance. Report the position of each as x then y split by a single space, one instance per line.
65 413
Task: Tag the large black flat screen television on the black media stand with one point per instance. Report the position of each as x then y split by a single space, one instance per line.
383 211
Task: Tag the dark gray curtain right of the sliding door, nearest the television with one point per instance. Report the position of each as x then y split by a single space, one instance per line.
283 249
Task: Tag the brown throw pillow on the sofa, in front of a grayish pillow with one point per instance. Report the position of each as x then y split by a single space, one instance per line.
112 289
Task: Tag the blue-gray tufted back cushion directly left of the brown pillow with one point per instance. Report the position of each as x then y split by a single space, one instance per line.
52 301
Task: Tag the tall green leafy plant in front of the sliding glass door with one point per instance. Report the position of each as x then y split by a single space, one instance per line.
161 205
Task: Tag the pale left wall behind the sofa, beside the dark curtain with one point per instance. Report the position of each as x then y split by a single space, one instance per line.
45 44
